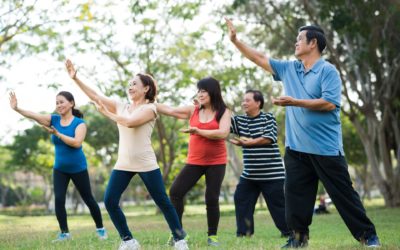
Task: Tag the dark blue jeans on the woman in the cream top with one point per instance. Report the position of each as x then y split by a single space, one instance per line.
117 184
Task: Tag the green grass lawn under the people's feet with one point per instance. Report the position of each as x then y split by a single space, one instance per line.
327 231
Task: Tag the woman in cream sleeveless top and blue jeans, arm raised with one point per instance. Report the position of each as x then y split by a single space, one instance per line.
135 154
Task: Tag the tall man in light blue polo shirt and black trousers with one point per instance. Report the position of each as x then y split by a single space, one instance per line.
314 149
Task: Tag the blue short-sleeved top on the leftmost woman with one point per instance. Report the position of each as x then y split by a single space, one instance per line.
68 159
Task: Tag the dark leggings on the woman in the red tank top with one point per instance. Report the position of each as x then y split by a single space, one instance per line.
187 178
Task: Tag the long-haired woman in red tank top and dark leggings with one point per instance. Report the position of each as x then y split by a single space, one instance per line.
209 125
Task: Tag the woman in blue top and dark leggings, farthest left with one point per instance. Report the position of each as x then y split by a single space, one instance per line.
68 132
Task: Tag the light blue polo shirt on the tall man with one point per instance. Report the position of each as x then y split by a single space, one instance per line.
310 131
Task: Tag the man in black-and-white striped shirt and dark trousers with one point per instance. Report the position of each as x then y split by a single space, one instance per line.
263 170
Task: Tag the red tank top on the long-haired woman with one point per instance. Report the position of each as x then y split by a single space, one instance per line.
204 151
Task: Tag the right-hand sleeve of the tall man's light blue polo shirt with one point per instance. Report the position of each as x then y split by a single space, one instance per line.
331 87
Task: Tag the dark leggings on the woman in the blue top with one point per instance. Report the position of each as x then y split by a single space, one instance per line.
82 183
